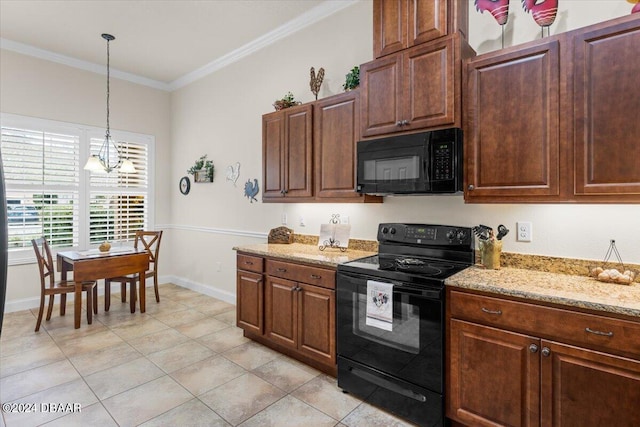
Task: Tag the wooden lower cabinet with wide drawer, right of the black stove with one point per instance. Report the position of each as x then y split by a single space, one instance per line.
498 377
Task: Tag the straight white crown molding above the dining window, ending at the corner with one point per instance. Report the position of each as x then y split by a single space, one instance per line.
47 55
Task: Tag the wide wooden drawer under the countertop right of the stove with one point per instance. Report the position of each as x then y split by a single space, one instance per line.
588 330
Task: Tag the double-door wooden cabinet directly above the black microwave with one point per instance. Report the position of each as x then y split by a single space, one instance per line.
415 89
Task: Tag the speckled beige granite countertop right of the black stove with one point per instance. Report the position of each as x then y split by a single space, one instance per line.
563 289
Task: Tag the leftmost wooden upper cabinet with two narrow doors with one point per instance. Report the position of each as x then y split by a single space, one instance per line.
287 138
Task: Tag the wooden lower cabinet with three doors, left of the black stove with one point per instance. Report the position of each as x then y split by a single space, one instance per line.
289 315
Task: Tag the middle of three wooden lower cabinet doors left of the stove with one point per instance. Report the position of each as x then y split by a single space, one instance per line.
281 324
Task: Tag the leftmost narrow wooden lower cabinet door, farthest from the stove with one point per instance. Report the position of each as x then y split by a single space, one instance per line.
249 310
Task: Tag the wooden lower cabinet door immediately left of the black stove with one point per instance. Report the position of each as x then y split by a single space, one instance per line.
317 323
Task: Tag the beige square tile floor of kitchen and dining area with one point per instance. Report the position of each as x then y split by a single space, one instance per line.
182 363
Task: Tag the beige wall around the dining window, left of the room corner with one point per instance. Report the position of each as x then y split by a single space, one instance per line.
47 90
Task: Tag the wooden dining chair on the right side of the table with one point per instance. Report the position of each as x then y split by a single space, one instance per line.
151 242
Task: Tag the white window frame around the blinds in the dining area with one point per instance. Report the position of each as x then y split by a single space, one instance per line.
26 255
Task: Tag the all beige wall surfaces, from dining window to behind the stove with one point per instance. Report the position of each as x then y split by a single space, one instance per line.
220 115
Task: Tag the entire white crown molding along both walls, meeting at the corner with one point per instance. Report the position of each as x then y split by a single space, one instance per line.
310 17
